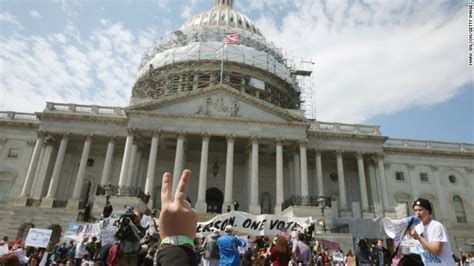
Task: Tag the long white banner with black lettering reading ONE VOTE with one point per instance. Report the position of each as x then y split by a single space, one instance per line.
246 223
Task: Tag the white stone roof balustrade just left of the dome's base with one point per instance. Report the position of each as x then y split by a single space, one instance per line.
84 109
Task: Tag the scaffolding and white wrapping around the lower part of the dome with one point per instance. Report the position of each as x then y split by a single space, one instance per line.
198 65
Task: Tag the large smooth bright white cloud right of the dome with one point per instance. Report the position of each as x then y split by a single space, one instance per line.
375 58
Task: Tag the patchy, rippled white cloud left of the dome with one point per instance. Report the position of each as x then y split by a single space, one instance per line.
62 67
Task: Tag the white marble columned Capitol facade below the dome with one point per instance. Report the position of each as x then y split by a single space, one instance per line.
239 148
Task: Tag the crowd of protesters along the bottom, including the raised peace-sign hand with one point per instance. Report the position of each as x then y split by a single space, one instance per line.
141 243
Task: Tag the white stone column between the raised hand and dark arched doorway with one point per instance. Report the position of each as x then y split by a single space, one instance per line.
201 206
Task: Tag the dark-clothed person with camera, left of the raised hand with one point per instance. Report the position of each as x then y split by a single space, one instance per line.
129 234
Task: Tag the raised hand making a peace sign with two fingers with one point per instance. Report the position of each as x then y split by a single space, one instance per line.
176 216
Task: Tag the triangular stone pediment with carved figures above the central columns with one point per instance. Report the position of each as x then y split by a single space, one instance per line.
219 101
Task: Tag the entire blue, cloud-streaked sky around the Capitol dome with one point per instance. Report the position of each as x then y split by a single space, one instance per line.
400 64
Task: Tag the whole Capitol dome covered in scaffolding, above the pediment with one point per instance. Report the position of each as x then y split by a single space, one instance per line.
196 57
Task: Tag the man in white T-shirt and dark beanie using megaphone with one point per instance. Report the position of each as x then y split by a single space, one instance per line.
433 240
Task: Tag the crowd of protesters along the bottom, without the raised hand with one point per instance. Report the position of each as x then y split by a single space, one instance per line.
214 249
